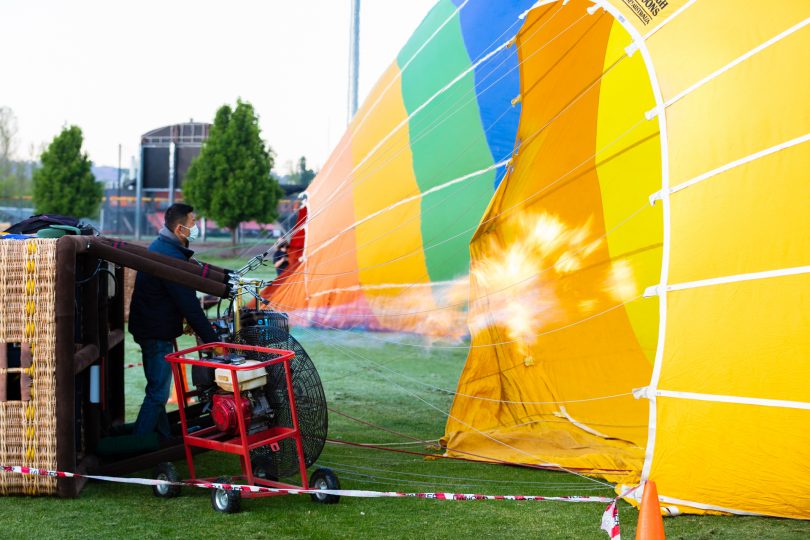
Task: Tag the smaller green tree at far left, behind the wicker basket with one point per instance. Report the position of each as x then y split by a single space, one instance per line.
64 184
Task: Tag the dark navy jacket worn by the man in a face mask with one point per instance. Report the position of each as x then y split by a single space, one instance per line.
158 306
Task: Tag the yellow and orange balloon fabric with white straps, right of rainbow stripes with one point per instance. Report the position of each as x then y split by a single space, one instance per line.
652 234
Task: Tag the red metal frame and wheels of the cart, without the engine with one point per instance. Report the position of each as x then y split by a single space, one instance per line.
241 443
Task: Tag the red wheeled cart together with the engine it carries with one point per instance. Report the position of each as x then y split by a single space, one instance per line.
240 423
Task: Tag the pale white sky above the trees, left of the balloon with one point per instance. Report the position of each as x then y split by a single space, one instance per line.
118 69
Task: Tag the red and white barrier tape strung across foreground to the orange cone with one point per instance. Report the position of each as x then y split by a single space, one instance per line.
610 519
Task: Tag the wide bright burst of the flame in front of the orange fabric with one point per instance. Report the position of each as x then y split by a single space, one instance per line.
526 277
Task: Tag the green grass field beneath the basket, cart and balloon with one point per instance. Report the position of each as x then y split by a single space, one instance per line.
385 380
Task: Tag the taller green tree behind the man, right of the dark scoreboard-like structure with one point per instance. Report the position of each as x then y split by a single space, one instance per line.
230 180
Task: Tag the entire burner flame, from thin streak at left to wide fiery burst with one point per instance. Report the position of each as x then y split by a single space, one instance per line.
534 273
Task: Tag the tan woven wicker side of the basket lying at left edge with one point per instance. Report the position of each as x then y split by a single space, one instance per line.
27 316
